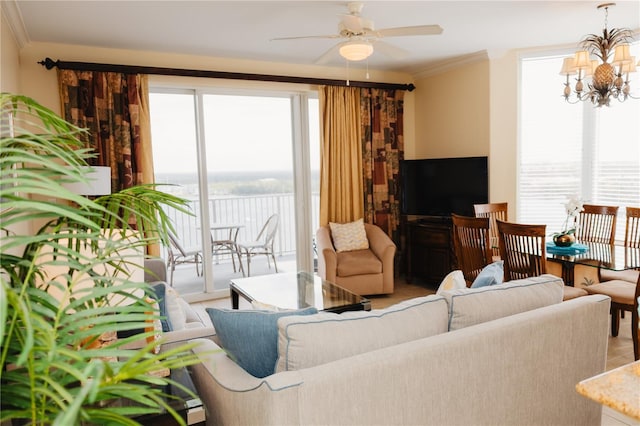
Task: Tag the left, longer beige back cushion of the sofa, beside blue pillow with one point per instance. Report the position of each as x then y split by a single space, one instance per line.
304 342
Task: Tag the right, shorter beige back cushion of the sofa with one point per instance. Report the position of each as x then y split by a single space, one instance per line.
476 305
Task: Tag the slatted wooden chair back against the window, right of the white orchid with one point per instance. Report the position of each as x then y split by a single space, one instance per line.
597 224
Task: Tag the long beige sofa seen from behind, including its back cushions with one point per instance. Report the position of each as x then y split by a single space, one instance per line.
509 354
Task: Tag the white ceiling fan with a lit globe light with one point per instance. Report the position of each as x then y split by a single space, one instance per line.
360 37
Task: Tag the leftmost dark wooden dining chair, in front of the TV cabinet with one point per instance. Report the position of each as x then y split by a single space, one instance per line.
472 245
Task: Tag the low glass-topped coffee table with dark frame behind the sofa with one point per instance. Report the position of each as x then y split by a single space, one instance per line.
296 290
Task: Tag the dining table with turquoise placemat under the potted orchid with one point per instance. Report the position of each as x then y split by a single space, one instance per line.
614 257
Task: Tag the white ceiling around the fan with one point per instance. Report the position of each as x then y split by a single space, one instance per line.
243 29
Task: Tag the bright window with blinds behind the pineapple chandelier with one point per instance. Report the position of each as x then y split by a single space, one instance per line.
568 150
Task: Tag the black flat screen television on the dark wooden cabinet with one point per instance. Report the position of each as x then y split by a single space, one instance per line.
441 186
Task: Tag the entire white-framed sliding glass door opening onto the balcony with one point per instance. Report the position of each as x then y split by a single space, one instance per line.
239 158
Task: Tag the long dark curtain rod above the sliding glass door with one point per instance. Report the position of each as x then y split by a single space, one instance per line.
49 63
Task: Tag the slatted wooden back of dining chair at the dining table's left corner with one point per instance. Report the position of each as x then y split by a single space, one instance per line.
522 248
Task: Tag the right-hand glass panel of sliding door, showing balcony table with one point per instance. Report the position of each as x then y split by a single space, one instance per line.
250 162
